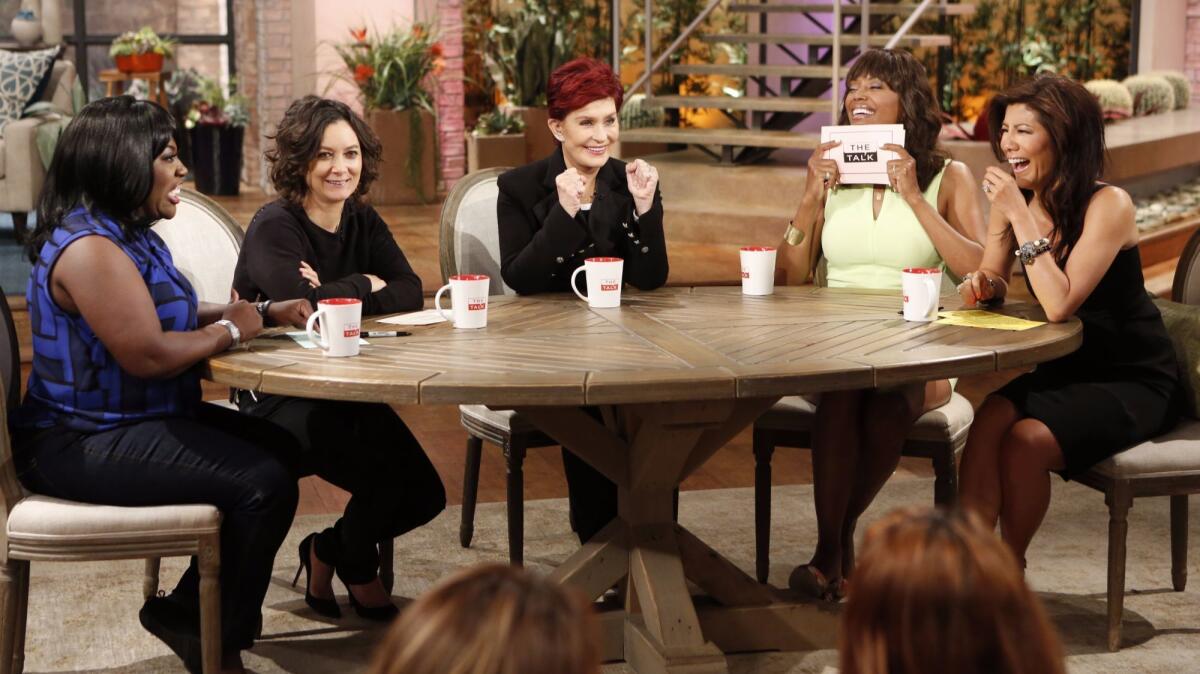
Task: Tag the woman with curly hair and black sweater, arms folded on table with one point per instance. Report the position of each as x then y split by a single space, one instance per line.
320 240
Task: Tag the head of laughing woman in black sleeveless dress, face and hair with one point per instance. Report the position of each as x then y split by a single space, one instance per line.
1055 129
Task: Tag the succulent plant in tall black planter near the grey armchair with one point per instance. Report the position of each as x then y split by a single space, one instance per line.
217 127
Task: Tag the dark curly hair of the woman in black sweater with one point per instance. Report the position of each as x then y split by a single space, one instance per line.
298 140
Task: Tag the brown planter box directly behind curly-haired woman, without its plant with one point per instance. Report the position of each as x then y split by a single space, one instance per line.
397 184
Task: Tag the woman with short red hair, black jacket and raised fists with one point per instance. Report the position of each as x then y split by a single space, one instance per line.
575 204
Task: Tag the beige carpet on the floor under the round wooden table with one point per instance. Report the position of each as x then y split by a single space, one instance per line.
83 617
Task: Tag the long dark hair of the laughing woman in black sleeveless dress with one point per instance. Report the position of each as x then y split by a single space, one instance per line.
1073 119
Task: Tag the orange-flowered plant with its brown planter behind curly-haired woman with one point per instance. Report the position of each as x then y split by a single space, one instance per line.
395 74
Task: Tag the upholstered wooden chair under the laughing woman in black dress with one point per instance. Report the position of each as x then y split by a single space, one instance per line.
1168 466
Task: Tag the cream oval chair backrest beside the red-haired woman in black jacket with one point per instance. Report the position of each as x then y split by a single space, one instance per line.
470 238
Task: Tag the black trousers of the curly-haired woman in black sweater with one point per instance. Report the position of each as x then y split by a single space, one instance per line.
367 450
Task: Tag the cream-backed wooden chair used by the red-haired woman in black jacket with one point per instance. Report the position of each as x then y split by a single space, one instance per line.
470 244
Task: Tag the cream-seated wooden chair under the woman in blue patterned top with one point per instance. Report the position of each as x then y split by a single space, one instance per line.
39 528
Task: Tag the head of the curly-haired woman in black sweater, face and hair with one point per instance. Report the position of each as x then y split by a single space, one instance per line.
323 151
